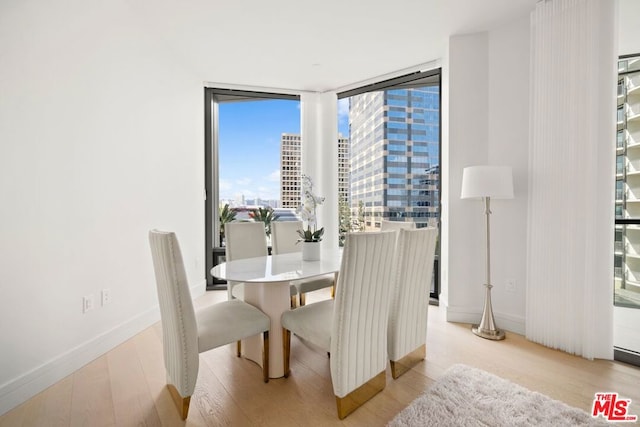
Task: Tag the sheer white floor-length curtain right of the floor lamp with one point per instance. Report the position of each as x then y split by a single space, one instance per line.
571 182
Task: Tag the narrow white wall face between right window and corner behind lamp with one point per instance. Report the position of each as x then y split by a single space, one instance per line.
467 145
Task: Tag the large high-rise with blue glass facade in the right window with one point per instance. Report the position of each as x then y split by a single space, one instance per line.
395 152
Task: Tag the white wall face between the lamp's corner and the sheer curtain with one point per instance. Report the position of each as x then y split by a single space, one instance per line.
509 145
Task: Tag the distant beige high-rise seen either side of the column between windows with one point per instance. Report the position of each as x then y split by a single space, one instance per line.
290 170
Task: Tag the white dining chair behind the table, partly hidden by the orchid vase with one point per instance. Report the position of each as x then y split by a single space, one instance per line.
284 239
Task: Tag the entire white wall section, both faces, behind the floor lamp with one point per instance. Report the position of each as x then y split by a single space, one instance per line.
488 84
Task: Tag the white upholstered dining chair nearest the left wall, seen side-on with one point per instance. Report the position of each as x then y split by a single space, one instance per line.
186 332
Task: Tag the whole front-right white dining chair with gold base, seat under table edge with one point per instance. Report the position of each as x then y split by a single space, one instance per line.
353 326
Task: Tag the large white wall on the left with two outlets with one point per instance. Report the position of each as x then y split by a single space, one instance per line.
101 139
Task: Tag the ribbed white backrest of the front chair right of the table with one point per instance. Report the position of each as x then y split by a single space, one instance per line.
358 334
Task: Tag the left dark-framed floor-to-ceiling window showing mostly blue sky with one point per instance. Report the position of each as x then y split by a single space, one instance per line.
244 161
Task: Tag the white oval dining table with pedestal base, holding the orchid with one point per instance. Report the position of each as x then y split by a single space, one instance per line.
267 280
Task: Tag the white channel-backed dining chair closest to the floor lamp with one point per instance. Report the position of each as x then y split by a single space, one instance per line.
407 328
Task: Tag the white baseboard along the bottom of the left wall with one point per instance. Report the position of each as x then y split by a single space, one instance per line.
27 385
